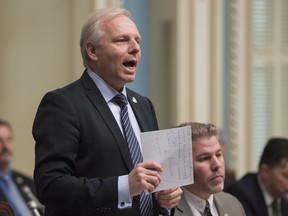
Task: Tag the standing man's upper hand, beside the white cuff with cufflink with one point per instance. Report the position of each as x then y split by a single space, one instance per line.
144 176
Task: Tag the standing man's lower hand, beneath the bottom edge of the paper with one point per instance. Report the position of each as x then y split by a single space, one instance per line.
169 198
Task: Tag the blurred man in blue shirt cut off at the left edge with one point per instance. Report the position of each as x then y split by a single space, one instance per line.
15 188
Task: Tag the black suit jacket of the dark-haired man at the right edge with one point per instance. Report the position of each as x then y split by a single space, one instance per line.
249 193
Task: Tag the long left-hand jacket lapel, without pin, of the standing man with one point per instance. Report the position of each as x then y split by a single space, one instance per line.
103 109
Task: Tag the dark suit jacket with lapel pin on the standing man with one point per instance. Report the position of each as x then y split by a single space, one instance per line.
80 150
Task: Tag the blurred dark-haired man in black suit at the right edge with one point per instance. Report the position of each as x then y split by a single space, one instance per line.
263 193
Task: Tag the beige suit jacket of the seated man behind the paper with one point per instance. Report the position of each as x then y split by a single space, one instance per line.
226 205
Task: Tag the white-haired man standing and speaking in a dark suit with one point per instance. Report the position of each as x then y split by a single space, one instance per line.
83 163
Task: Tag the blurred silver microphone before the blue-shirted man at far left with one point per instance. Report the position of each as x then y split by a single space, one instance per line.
33 203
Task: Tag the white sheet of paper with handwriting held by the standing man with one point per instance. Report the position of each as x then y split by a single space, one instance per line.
172 148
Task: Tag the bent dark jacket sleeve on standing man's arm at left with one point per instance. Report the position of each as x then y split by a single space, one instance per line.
57 131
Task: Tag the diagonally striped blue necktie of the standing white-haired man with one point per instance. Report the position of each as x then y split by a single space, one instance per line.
146 206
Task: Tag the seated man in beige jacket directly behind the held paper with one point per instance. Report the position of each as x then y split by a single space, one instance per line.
205 196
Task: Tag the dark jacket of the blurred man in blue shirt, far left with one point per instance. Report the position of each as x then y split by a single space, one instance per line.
21 180
